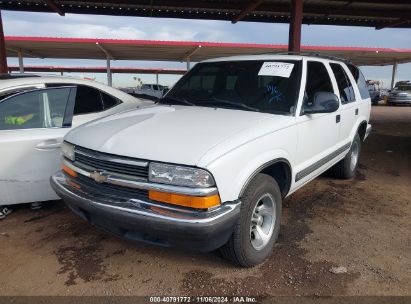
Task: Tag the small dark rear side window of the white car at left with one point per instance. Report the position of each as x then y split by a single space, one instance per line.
88 100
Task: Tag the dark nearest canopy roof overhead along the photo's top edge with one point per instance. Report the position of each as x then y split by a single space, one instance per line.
372 13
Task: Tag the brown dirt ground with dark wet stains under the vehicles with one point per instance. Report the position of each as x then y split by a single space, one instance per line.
362 224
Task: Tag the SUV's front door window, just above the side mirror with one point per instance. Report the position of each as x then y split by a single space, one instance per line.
318 80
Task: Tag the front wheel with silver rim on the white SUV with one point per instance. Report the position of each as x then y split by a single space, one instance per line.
259 224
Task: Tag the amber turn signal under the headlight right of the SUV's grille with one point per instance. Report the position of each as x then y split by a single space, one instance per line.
200 202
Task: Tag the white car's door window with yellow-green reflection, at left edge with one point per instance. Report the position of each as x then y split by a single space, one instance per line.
43 108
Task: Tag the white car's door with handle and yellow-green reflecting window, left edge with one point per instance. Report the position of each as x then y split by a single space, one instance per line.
32 126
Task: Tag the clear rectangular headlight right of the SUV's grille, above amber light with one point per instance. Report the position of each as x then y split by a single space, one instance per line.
180 175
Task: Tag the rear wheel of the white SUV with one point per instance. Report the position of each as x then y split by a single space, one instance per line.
346 168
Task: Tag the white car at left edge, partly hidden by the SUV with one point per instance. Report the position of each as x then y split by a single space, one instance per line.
35 114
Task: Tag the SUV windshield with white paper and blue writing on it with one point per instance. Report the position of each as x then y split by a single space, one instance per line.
261 86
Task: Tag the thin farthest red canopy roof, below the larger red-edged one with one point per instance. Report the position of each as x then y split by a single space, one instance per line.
97 69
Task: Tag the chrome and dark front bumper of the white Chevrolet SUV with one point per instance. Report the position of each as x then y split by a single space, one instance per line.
148 221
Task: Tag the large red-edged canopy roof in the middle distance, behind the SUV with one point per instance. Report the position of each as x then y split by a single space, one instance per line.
79 48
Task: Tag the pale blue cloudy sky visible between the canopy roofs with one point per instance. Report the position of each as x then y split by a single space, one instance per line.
114 27
